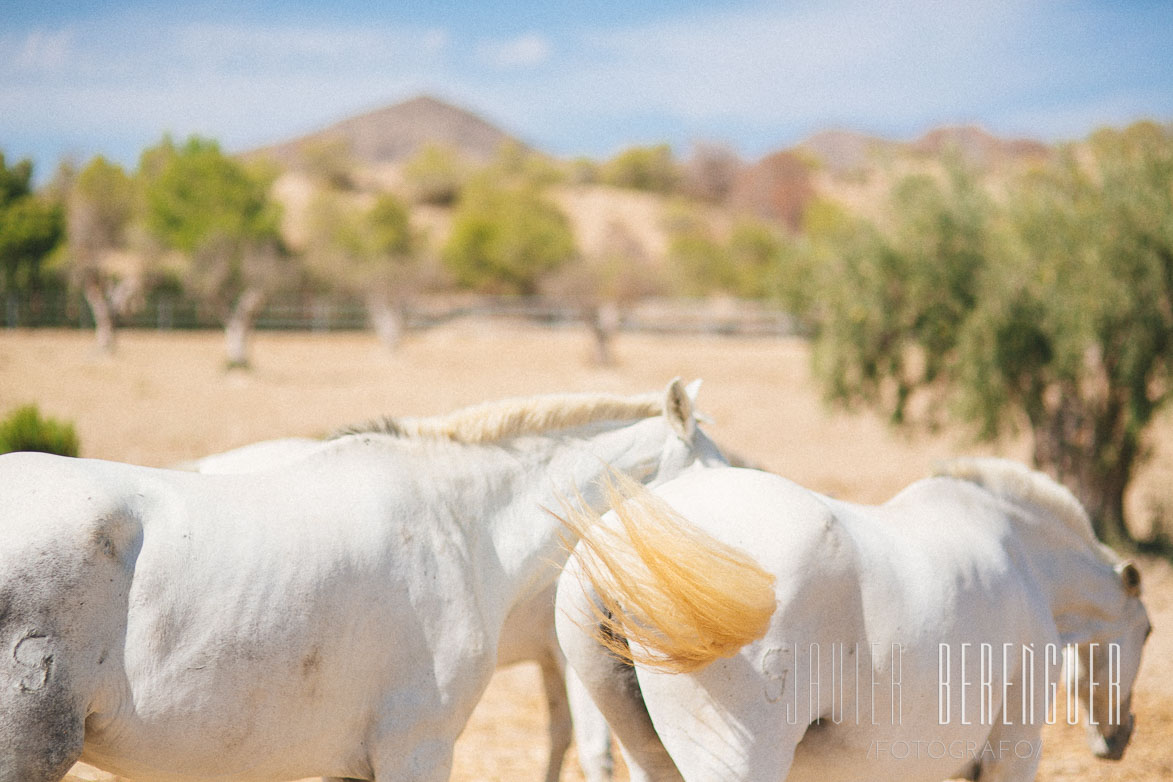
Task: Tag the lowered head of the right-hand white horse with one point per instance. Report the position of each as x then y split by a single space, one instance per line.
1103 672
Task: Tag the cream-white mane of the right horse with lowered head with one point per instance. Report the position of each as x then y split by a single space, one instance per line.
1016 481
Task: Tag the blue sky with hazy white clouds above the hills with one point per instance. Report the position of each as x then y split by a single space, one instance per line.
80 79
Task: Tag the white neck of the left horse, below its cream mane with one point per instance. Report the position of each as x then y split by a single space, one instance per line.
568 467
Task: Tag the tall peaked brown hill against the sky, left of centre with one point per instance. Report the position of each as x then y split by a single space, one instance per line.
395 134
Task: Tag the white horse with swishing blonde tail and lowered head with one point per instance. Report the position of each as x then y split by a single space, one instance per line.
916 641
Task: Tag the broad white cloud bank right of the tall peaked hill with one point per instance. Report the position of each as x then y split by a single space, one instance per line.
768 74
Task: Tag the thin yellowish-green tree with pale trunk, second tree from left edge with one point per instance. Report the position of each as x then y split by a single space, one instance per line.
101 203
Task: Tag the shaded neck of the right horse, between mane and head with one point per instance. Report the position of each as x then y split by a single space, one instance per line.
1081 583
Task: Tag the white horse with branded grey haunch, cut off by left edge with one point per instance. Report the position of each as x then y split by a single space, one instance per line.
338 617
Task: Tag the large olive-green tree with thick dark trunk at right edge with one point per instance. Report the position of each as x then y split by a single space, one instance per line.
1077 336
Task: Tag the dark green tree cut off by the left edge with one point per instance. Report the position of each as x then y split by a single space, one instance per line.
31 228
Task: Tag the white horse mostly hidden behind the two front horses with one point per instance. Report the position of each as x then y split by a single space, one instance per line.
527 636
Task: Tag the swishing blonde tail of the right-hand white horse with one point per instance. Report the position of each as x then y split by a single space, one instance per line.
669 596
